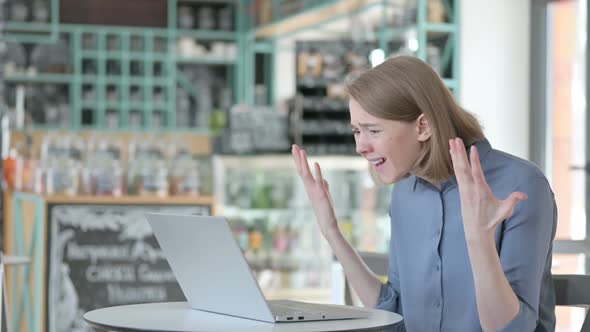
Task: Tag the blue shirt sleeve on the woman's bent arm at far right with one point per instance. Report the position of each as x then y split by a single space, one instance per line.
525 250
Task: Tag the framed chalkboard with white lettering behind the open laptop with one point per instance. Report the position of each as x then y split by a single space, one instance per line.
102 256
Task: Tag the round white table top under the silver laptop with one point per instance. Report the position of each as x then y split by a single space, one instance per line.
180 317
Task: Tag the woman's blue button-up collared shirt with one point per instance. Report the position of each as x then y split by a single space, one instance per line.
430 279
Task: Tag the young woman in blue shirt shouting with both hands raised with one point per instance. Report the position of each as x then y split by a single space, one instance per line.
471 226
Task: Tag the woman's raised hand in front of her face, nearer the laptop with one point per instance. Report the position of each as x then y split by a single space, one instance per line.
318 192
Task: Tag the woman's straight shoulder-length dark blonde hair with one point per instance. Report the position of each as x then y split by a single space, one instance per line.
404 87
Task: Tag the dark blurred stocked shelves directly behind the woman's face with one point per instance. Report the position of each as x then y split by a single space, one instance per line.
322 121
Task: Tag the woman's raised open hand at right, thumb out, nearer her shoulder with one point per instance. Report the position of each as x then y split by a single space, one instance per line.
482 211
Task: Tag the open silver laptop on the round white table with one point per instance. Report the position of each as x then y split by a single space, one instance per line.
215 277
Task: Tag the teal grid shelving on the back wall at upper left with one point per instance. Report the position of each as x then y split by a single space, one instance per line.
126 78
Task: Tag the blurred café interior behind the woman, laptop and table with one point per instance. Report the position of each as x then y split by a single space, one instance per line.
109 109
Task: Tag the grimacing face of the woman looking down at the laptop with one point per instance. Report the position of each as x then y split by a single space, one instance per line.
392 147
